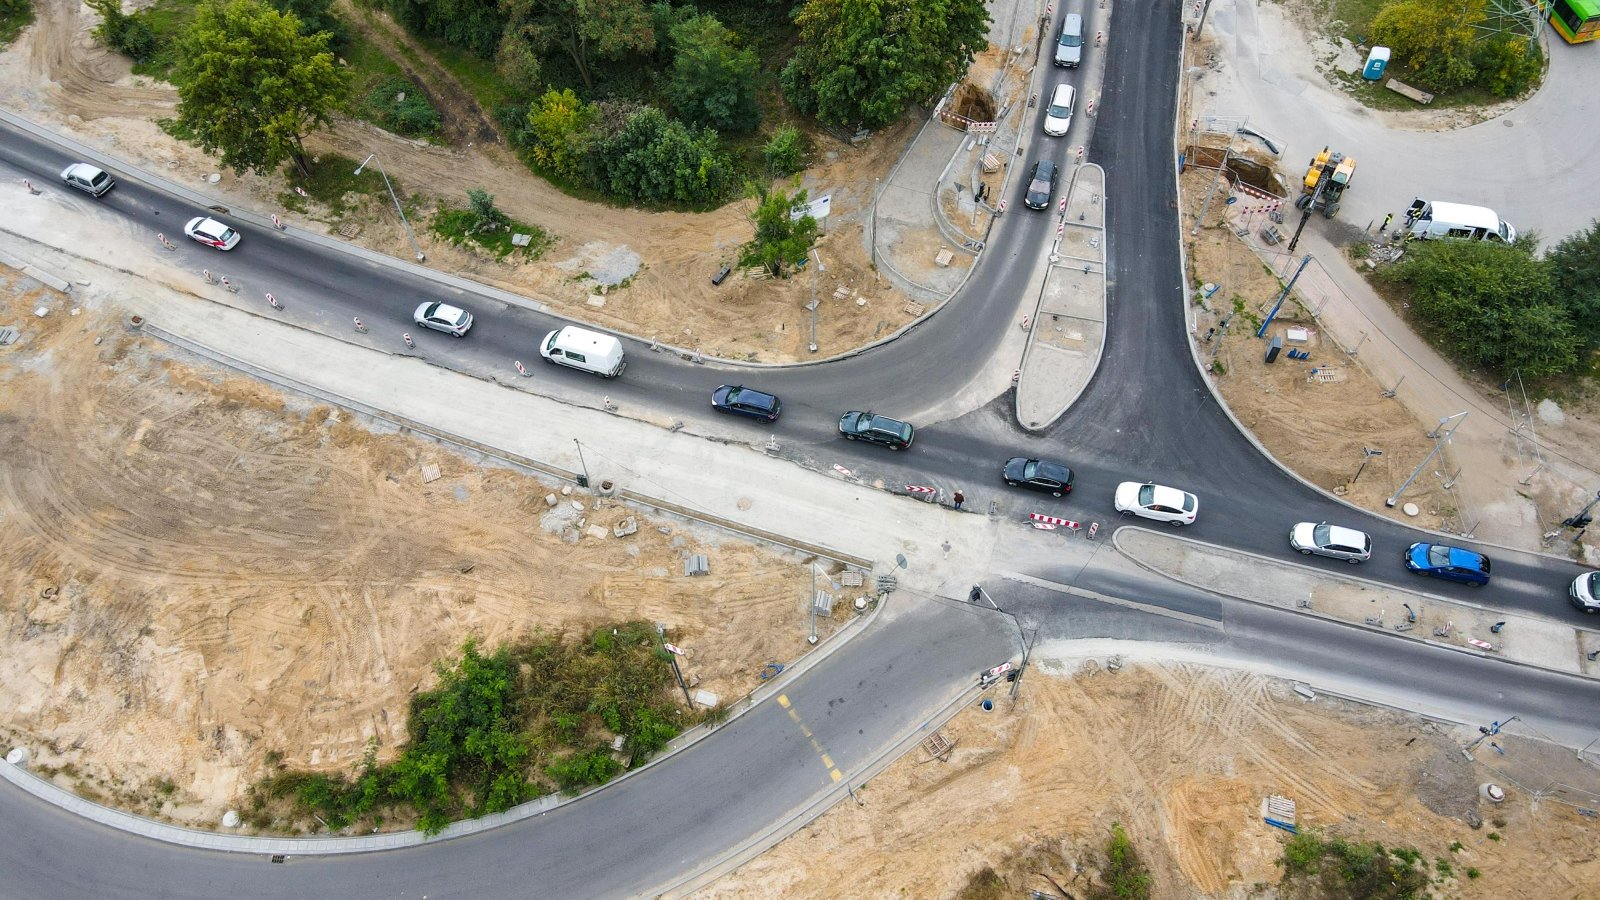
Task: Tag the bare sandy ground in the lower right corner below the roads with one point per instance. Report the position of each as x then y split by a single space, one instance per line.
1033 792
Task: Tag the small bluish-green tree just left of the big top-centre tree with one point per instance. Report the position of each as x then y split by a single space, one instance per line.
713 81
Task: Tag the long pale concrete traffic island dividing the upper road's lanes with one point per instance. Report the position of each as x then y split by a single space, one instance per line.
1068 329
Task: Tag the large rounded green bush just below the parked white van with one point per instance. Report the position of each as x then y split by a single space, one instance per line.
1492 305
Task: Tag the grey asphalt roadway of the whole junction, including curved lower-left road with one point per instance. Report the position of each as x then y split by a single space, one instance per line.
1146 416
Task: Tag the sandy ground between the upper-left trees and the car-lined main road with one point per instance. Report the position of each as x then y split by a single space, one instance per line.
58 74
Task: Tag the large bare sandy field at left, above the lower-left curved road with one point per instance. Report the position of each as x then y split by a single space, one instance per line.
196 569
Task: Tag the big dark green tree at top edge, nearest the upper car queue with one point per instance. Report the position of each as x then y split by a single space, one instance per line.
865 62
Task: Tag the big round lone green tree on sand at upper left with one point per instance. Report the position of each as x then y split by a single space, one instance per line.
250 86
